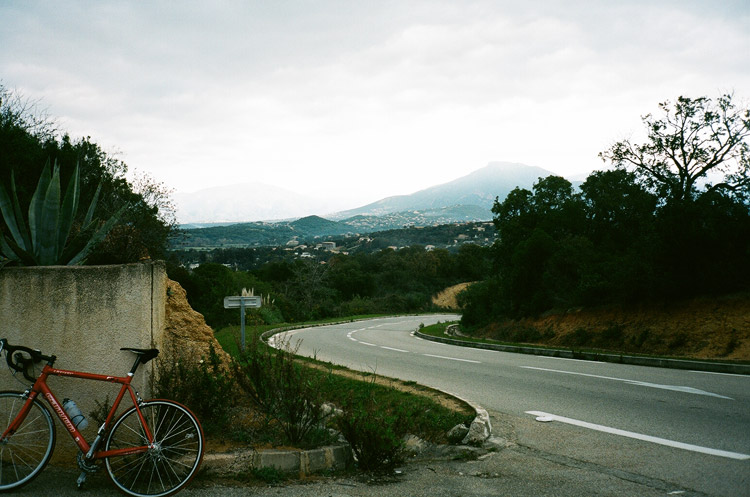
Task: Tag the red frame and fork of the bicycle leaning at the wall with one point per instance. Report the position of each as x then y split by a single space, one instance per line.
40 387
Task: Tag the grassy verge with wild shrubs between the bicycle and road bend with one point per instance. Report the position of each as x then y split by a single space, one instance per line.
268 397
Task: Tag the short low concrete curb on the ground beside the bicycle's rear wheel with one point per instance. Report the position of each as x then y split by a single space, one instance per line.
302 462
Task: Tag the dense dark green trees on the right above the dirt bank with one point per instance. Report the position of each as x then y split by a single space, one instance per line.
669 222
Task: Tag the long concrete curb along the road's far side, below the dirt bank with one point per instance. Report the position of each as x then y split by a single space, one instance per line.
713 367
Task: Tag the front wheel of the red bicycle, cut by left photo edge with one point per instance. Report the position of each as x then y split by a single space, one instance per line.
25 454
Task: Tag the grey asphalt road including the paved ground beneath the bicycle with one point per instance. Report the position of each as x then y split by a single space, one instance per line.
567 456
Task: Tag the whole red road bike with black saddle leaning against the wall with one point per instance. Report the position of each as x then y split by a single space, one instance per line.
153 448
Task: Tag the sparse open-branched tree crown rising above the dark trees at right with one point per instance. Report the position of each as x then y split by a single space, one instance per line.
697 143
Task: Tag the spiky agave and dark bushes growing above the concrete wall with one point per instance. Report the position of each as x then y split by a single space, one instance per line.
119 220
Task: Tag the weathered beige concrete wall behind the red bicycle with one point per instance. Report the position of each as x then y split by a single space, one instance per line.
83 315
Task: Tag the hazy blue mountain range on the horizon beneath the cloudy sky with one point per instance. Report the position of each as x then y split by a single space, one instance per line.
466 199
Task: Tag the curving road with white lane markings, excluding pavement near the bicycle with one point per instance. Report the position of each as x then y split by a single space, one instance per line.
667 428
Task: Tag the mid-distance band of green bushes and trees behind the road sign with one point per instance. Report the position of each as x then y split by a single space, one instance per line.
383 282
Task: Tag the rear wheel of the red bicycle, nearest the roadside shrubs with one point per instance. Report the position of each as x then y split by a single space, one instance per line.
165 468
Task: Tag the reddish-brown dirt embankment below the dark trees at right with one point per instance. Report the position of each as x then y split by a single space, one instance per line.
705 328
